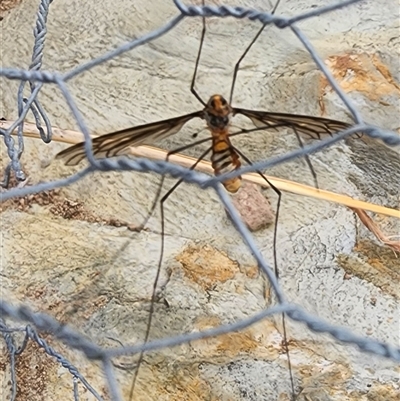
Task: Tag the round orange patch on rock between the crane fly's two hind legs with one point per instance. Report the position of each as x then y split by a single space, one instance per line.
207 266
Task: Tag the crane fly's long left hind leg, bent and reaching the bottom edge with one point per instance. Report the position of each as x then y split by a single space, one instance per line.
155 283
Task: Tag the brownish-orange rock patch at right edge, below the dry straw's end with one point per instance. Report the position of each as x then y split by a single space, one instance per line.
377 264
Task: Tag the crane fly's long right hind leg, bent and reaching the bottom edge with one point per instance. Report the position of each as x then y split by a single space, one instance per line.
278 192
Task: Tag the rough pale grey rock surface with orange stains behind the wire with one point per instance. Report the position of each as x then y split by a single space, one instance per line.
63 253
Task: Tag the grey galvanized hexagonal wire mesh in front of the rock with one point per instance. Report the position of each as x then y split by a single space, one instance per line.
34 324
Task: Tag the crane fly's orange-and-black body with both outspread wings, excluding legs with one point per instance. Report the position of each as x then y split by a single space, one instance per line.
218 115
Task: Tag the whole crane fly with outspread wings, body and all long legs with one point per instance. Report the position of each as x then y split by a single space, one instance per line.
218 114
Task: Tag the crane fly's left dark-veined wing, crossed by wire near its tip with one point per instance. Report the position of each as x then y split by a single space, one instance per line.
116 143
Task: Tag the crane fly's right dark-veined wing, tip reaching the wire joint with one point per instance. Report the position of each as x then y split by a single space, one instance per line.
313 127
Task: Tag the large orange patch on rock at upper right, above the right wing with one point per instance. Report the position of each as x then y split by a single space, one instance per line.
363 73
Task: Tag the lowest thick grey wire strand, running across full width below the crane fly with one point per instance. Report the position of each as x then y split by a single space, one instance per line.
77 341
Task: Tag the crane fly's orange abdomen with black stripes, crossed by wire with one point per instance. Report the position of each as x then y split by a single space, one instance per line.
224 159
